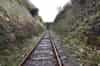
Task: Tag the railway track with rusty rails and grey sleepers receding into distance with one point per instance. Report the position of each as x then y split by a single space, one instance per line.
45 54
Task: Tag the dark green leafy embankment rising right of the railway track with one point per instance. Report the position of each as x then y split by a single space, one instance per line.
79 27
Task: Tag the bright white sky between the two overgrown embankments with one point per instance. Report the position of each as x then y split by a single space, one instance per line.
48 9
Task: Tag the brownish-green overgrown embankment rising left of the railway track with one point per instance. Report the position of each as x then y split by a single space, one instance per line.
16 25
